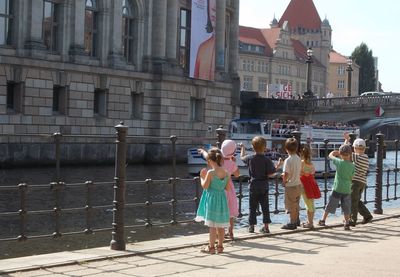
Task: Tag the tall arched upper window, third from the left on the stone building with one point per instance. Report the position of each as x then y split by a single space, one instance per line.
91 28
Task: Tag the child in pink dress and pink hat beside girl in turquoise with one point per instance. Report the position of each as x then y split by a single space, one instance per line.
228 149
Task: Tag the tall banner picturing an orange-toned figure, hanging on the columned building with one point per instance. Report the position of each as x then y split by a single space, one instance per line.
202 40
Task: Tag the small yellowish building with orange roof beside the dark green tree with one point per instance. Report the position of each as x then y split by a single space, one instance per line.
339 76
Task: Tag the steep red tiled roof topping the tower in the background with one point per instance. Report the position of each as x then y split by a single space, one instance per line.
301 13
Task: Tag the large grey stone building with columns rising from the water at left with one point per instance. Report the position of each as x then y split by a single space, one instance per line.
82 66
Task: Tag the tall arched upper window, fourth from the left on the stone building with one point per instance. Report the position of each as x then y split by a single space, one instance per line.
127 30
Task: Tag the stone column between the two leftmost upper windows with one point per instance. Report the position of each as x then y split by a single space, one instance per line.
35 20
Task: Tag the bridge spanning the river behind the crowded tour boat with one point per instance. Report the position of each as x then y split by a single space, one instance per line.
359 110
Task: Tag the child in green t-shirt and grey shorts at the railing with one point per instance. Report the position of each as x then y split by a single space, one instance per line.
341 191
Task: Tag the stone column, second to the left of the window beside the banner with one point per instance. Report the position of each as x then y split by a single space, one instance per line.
159 29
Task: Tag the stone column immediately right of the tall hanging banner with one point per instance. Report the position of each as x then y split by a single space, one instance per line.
220 35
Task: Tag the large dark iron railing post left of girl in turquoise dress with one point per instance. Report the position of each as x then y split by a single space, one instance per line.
118 233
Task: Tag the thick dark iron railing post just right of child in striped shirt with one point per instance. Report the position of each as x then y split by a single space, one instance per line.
379 173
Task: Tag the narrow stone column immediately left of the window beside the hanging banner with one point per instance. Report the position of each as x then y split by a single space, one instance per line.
172 30
